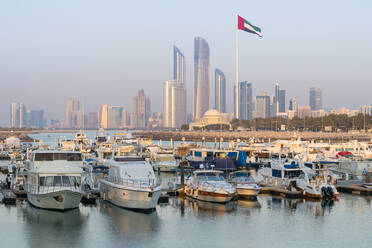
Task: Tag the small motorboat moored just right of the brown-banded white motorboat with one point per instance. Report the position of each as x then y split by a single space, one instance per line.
244 183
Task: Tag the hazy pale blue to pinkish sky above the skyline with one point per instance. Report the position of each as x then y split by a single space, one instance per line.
104 51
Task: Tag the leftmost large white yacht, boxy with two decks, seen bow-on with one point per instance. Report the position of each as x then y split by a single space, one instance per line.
54 179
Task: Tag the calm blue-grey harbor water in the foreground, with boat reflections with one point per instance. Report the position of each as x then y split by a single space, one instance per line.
267 222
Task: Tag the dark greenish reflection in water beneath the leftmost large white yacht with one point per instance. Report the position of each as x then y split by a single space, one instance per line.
45 228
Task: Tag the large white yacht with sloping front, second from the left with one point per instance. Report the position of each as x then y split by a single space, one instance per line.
131 183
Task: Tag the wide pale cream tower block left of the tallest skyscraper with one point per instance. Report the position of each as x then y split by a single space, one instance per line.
174 104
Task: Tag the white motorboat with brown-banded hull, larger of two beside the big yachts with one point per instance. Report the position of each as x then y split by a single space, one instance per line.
210 186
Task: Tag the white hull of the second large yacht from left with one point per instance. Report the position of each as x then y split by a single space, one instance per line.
144 200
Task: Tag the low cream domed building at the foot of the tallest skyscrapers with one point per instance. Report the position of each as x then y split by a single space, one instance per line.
211 117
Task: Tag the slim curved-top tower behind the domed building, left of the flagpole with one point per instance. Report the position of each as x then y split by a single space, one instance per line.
219 91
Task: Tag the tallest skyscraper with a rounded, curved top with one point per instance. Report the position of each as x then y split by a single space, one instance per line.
201 77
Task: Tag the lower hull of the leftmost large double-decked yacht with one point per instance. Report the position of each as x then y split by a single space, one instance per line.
59 200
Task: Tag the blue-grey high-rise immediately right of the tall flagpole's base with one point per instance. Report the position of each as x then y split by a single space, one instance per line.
245 100
